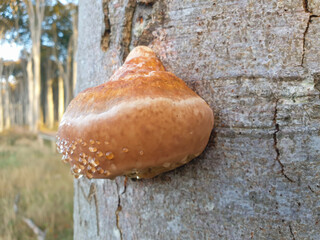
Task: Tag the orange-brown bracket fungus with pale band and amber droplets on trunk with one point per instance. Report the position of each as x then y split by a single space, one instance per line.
142 122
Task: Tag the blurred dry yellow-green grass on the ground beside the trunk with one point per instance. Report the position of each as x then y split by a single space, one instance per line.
43 185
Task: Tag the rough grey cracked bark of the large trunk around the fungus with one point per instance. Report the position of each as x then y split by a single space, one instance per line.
257 64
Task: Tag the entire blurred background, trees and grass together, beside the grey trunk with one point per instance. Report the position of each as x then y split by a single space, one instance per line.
35 88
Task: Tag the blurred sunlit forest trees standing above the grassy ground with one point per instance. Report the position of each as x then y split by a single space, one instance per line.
36 88
